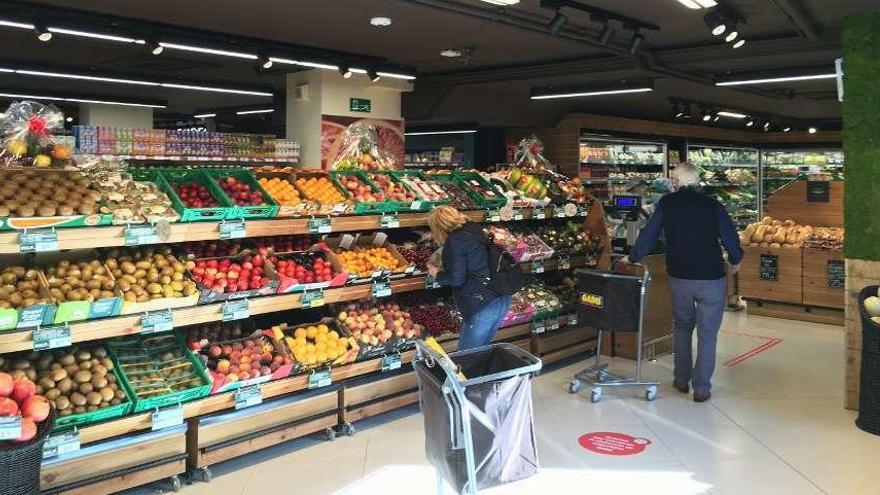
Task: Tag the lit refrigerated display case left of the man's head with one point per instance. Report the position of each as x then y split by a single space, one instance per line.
607 164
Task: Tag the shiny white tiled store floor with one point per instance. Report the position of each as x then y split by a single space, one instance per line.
775 425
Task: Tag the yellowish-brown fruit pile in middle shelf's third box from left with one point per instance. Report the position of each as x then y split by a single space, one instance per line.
144 274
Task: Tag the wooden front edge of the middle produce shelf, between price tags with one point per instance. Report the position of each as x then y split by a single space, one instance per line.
130 324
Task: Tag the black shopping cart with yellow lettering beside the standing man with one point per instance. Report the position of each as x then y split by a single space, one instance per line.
612 302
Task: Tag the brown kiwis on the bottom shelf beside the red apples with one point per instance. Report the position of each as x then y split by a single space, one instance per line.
76 380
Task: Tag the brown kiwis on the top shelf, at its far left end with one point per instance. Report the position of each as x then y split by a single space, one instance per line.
41 193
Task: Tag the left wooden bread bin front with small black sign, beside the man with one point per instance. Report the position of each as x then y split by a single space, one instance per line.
788 288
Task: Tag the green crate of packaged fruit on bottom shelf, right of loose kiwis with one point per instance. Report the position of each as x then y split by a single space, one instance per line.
159 370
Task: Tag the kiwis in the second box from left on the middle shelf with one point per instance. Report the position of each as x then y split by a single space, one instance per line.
80 281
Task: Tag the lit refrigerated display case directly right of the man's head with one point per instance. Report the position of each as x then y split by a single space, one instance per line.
730 175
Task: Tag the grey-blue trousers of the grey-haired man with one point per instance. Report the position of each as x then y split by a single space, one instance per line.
700 304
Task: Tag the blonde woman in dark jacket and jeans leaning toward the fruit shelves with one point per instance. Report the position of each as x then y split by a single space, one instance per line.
465 269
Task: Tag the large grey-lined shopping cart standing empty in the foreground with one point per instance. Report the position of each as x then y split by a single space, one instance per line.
479 431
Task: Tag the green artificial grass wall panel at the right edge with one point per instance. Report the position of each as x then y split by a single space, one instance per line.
861 135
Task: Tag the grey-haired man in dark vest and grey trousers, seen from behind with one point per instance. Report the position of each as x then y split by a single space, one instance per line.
695 228
